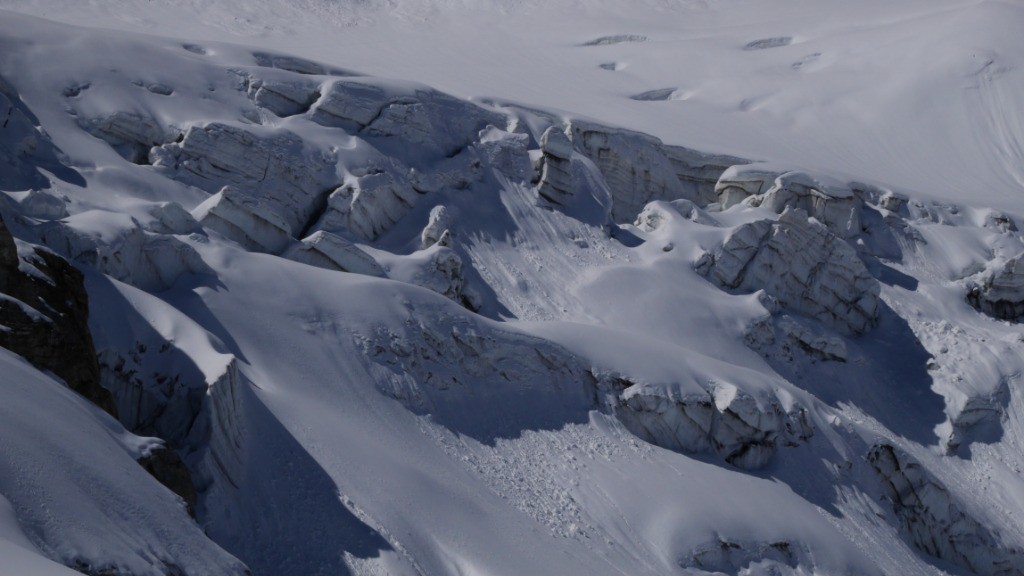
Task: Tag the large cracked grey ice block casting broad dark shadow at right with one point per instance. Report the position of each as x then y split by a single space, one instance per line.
799 262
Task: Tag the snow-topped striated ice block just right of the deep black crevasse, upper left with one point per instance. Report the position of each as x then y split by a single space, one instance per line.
370 204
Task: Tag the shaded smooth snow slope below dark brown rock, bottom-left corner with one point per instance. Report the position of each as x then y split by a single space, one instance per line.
71 475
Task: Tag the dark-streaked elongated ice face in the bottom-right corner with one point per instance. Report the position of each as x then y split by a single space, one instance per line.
935 523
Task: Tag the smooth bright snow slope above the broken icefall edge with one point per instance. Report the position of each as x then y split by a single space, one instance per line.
915 95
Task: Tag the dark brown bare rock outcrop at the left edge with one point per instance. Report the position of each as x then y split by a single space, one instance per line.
45 314
